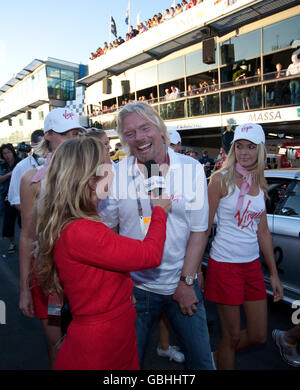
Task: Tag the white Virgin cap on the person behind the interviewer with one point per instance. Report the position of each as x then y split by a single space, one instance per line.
61 120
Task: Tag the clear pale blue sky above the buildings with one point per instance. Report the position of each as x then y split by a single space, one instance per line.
66 29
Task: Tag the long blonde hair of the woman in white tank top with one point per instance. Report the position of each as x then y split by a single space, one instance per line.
228 170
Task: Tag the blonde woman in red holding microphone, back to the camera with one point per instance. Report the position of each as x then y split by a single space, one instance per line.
88 262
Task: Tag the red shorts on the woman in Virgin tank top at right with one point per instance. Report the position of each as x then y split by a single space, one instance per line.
234 283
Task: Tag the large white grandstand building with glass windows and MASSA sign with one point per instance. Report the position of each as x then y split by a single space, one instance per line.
208 42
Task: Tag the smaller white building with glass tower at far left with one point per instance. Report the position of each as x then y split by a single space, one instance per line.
27 98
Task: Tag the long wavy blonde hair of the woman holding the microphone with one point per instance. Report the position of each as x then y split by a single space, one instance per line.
66 198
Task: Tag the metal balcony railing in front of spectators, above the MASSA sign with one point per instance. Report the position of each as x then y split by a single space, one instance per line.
253 94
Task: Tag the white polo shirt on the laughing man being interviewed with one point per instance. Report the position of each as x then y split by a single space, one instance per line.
186 186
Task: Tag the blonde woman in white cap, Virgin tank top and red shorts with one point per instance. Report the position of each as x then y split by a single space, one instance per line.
237 194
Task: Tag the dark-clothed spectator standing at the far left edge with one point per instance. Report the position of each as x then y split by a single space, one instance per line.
11 214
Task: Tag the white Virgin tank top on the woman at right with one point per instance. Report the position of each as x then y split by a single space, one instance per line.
236 238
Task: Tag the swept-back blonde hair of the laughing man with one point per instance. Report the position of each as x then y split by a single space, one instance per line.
147 112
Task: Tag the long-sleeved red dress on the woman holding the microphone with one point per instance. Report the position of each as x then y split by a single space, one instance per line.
94 264
